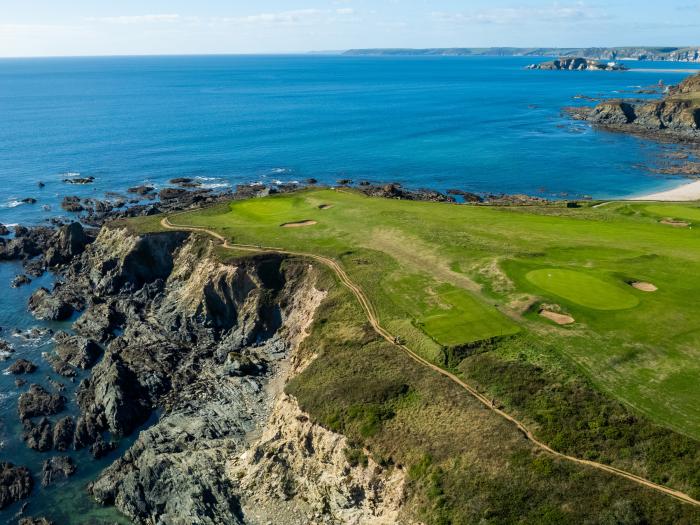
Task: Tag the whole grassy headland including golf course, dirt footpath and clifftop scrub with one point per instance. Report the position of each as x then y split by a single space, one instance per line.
575 326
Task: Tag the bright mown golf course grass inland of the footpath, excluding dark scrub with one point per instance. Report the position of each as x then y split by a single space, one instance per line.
443 277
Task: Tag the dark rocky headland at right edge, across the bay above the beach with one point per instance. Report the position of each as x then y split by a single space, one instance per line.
676 116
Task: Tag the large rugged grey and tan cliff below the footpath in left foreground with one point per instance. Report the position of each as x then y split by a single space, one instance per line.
196 353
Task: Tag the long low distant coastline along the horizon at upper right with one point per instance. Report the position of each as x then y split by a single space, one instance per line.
672 54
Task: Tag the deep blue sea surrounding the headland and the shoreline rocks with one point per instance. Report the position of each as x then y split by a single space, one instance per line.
476 124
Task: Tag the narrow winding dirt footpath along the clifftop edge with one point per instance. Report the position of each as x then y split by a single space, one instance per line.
374 322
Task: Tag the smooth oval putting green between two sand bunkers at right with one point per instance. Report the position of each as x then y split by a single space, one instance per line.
582 289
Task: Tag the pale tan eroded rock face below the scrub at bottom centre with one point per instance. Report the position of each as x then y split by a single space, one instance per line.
300 470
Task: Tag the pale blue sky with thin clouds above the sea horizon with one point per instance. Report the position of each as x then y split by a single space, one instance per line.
142 27
